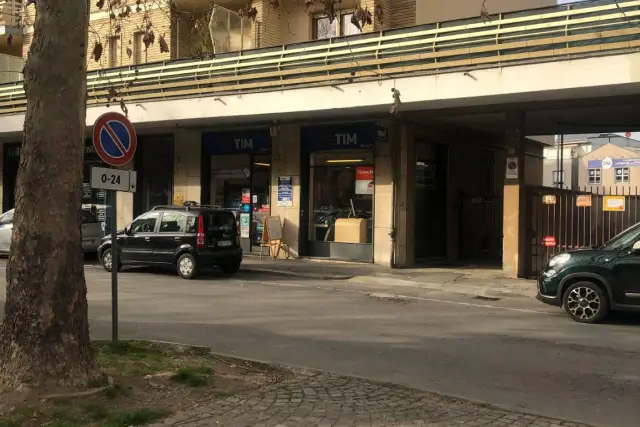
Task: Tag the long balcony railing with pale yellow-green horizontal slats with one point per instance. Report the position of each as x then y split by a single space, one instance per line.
548 34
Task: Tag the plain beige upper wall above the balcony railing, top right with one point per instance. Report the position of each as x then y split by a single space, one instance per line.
448 10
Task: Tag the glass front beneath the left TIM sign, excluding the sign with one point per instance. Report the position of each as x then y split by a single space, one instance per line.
241 183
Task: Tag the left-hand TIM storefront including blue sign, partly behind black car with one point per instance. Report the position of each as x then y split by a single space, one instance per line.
239 179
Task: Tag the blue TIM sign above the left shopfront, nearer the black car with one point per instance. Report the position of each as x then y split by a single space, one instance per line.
237 142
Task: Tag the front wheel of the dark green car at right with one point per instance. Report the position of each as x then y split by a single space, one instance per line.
586 302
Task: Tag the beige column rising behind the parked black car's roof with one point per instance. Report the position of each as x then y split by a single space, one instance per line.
186 166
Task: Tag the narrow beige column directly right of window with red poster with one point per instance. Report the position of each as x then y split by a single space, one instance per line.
383 200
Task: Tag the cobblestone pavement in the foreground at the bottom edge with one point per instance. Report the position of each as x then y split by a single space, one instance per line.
327 400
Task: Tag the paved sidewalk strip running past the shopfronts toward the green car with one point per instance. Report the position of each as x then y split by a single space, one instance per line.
489 283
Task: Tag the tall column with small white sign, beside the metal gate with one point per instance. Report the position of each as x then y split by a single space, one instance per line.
514 241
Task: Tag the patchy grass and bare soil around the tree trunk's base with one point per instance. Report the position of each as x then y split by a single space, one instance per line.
150 382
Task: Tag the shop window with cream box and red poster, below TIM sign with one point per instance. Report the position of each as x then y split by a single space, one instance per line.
341 191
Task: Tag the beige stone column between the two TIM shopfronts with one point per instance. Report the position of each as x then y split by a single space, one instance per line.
285 161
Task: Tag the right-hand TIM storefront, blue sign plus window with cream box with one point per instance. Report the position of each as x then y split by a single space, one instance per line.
337 177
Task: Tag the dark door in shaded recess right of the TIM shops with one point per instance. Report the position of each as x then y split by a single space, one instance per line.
432 161
